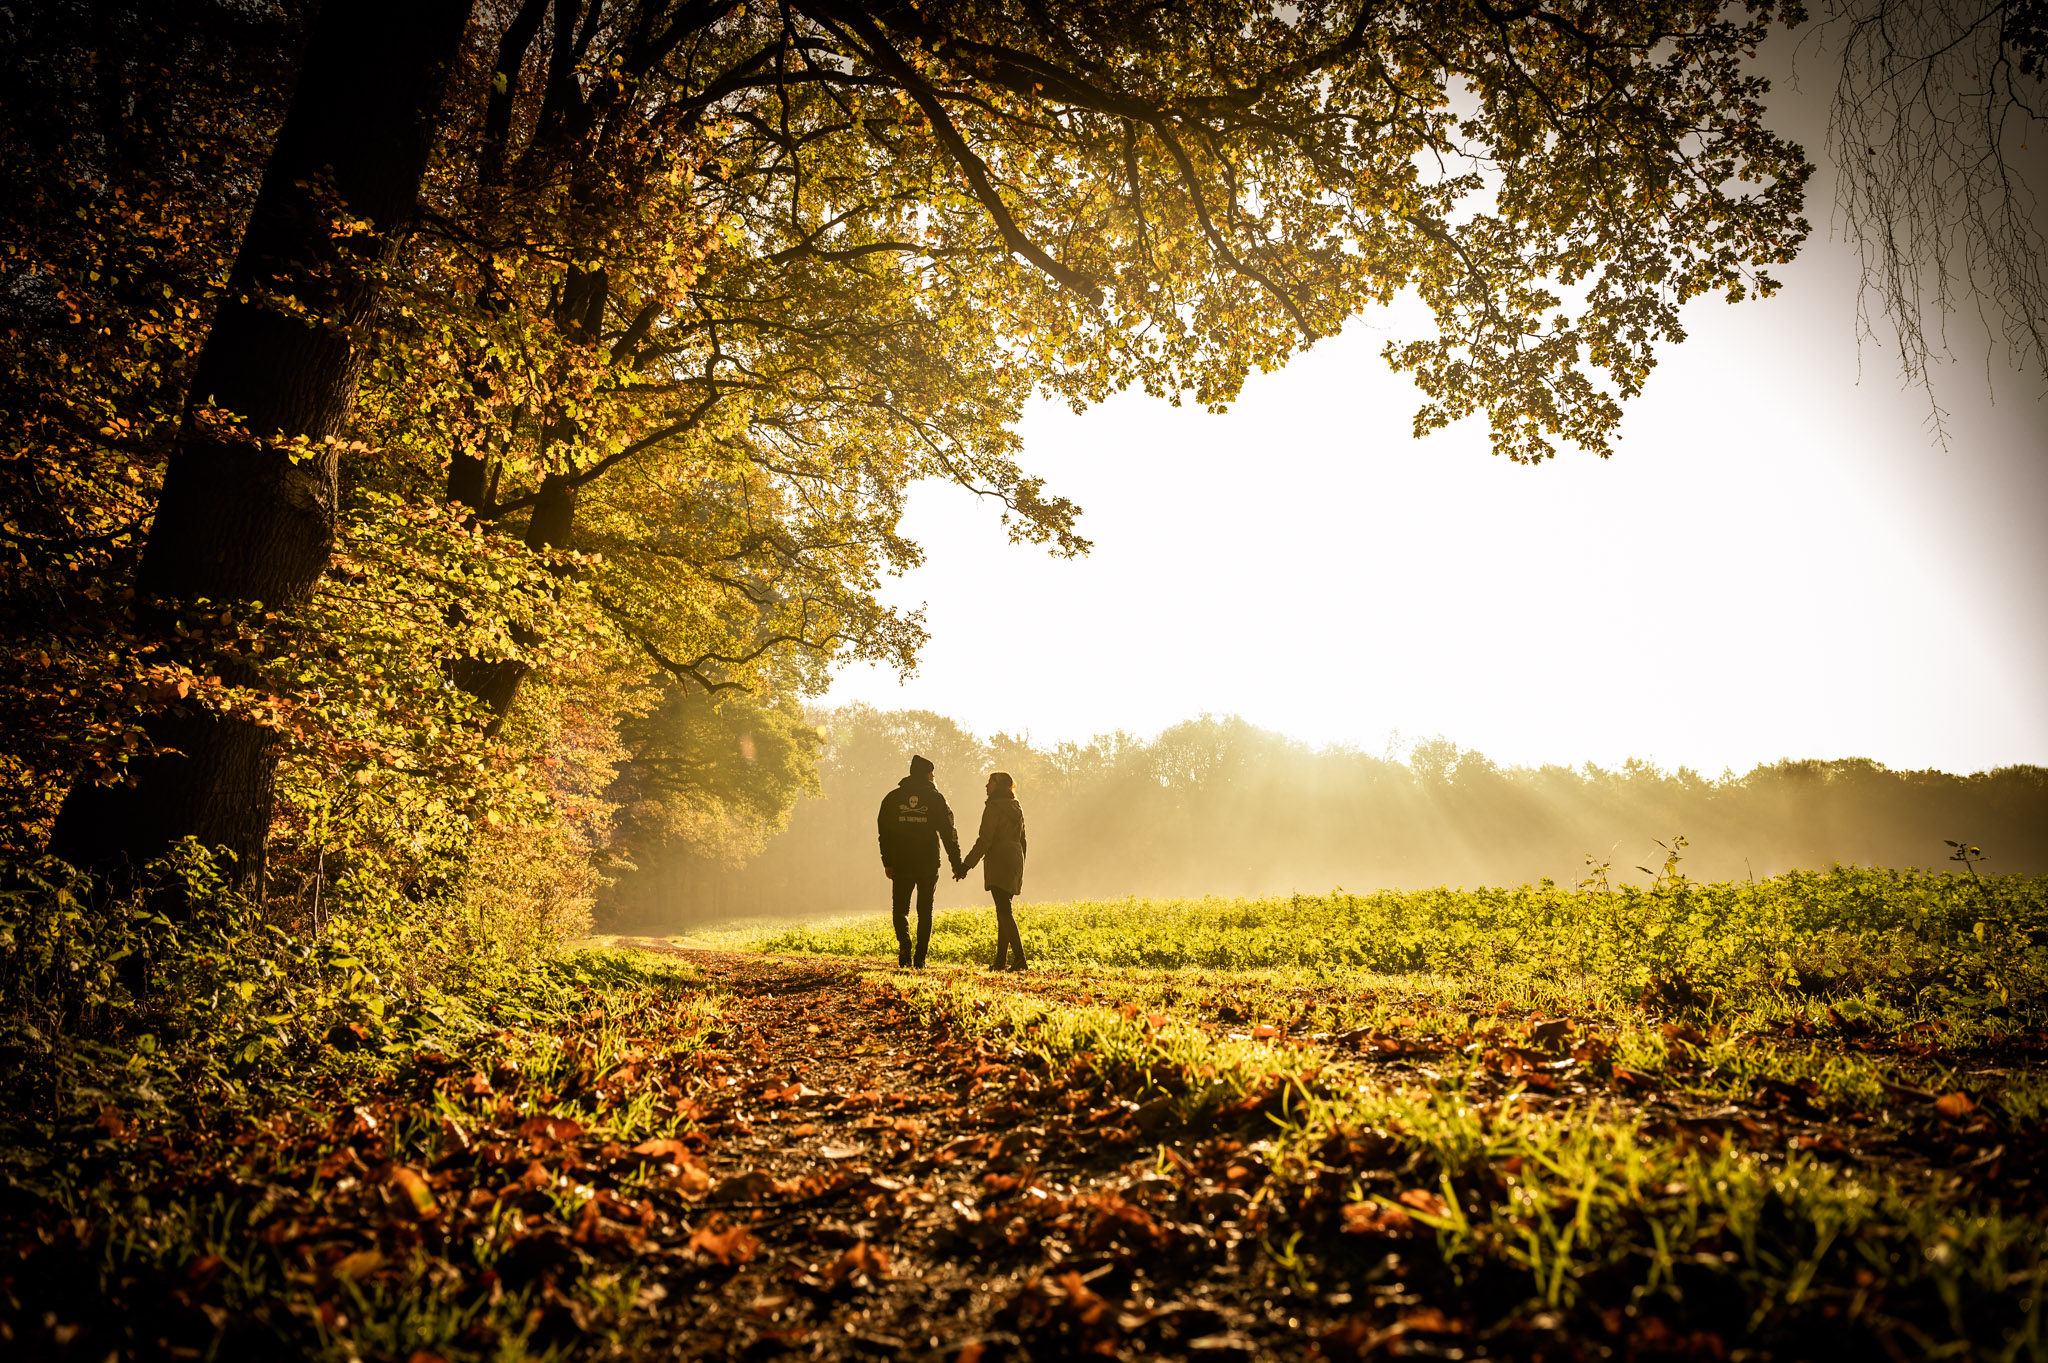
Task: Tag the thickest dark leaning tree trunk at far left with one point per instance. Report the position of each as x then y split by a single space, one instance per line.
243 521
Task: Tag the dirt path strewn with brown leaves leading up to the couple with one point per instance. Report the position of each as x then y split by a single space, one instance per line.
890 1190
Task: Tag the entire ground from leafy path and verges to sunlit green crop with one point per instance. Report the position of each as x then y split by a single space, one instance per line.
1785 1120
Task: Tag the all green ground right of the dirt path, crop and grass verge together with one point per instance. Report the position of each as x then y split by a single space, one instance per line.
1699 1112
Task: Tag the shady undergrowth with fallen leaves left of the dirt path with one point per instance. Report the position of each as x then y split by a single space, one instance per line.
226 1141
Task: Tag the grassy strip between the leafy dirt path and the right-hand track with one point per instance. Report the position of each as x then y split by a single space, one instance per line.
1582 1211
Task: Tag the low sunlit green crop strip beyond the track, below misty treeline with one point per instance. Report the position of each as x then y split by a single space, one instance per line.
1881 944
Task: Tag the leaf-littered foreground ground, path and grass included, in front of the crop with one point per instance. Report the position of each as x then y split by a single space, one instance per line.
839 1163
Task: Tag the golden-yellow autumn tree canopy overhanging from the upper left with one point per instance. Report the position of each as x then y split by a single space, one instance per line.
697 292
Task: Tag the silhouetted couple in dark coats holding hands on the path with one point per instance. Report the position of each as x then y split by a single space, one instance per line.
912 824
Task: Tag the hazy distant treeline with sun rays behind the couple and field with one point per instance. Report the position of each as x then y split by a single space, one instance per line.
1222 807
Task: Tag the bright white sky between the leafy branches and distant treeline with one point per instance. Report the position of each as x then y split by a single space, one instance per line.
1777 564
